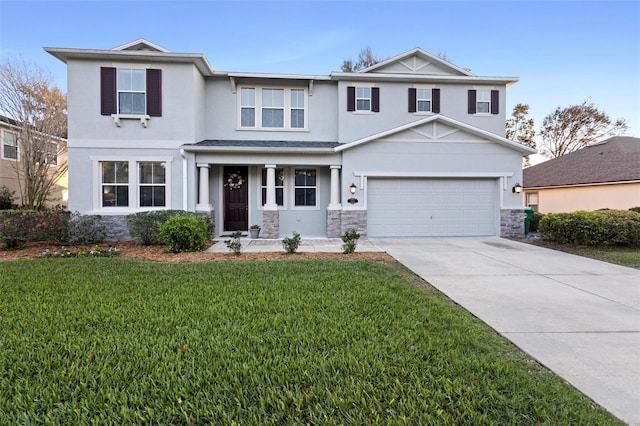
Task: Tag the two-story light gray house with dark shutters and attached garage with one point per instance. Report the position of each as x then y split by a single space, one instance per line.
412 146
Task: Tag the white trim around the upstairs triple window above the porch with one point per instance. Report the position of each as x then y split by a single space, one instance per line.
258 109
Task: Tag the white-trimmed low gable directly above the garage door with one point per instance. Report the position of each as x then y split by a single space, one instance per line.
441 129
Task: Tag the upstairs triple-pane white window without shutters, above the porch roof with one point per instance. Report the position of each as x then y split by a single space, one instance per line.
278 108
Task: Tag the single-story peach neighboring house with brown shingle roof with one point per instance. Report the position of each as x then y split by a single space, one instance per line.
602 175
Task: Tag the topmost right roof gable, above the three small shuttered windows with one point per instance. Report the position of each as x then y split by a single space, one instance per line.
417 61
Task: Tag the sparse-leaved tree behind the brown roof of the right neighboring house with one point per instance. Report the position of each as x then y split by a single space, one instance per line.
569 129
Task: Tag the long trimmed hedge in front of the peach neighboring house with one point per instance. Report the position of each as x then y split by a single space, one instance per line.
603 227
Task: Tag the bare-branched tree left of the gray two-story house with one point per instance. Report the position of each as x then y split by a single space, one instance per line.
37 109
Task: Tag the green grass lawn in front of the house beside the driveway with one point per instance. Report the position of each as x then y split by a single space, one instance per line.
116 341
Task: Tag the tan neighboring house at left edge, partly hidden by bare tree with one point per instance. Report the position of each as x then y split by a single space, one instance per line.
10 162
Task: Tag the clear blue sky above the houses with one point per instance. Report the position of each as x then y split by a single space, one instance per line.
564 52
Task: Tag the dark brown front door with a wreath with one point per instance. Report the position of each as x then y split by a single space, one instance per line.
235 199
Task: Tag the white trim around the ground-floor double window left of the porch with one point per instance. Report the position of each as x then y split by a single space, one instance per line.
134 187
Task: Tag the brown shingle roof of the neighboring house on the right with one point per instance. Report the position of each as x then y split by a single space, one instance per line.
613 160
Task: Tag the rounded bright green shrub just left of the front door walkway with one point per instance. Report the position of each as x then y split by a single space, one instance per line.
185 232
